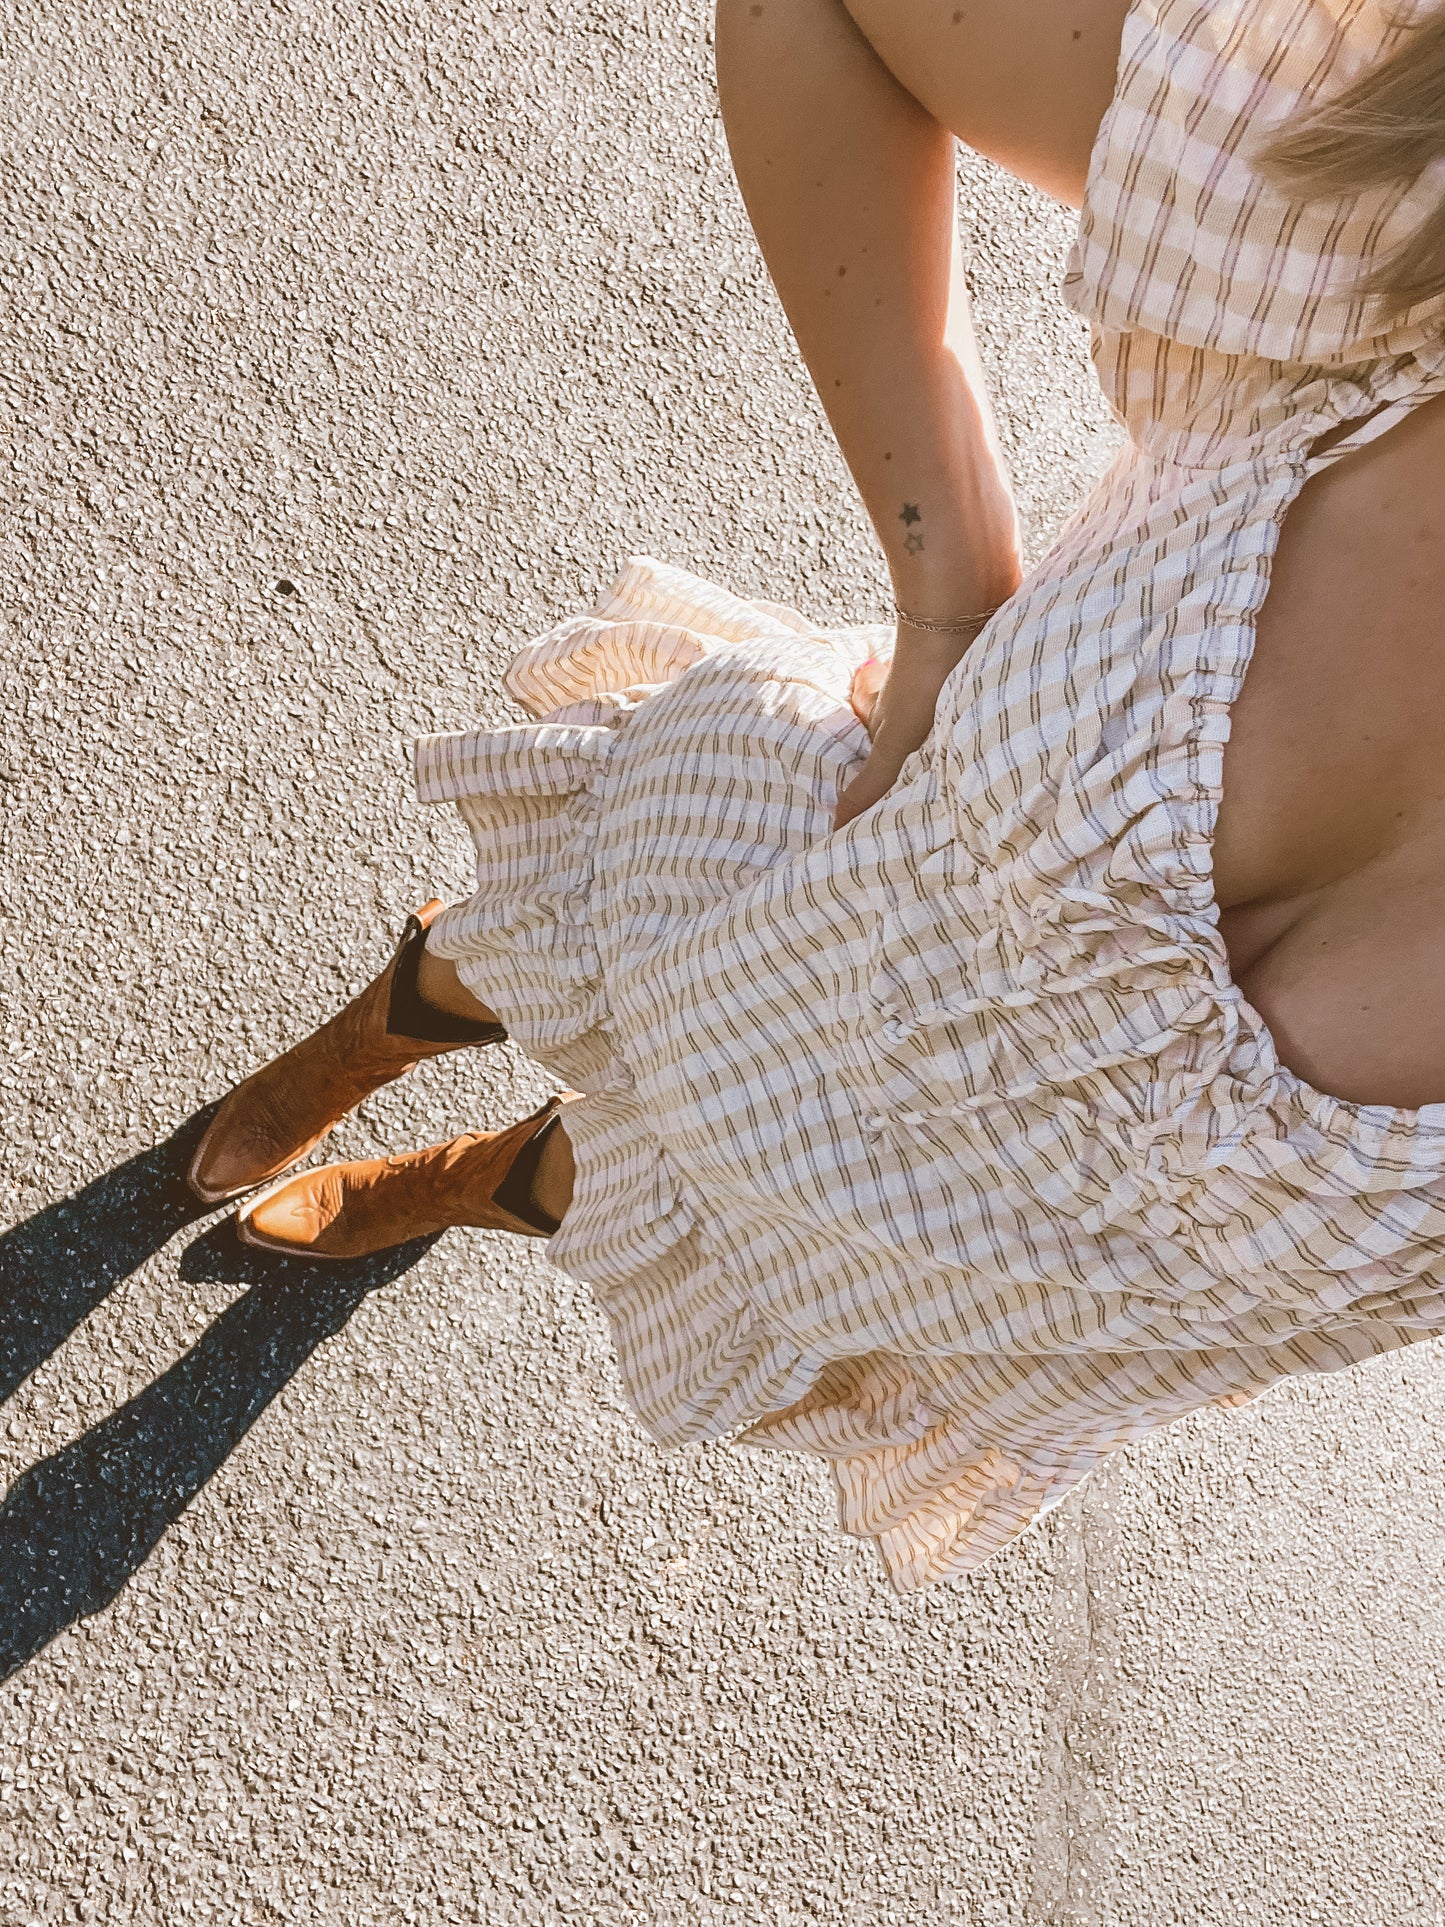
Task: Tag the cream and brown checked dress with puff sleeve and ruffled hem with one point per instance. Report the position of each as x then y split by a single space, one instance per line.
945 1146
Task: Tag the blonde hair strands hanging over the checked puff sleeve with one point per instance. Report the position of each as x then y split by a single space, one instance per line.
1384 128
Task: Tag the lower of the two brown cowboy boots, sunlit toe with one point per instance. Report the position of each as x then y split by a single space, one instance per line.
350 1211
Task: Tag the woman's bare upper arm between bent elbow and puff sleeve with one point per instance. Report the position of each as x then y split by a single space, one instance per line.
1022 84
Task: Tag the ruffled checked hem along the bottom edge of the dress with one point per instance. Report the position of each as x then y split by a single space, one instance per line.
698 1358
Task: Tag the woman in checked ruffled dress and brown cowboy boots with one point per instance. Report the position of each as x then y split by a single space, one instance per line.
1091 1069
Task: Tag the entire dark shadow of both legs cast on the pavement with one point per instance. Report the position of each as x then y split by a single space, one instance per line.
80 1523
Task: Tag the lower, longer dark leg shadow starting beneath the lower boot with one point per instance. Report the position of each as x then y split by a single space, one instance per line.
78 1525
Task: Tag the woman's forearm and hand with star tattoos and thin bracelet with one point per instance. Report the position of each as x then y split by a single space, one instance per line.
851 190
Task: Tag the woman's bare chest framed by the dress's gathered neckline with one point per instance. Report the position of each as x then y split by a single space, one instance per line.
1330 849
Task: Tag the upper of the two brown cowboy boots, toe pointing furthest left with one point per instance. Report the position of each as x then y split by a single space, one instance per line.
288 1107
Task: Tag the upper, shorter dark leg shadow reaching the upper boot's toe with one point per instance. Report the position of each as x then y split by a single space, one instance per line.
59 1265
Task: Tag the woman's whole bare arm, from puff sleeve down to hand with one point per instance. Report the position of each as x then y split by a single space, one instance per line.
841 124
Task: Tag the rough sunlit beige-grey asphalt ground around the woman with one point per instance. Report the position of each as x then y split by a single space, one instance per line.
344 348
